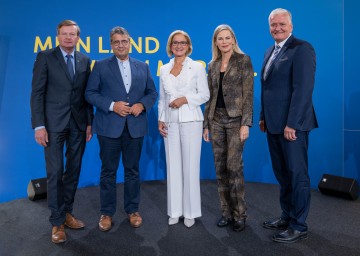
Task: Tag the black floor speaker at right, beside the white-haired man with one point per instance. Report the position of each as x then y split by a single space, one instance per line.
339 186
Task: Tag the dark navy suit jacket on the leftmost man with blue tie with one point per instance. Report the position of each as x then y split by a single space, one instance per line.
54 96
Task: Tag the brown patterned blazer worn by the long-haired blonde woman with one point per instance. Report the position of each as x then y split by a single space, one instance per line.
238 89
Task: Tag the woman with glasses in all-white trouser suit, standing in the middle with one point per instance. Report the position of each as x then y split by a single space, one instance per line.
183 88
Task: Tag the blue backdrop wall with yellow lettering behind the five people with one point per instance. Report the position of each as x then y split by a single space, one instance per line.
27 27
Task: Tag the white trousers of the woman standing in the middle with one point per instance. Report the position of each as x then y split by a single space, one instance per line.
183 150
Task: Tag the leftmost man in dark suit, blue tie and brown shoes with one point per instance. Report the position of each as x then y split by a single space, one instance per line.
60 115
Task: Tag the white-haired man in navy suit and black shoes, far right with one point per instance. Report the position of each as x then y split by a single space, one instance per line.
287 116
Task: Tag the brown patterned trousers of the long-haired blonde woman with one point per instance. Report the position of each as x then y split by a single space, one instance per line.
227 148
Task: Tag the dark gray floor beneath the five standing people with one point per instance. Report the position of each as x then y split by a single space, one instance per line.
334 226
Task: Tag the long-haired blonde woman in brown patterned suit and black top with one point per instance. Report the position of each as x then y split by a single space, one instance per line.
228 116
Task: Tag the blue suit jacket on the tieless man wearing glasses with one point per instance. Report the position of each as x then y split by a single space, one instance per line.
106 85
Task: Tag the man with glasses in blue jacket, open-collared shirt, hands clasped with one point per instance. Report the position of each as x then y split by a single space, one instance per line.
123 91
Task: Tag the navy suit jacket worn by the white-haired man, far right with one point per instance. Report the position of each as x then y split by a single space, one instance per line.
286 93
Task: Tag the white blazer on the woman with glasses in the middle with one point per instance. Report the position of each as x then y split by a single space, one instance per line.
192 83
